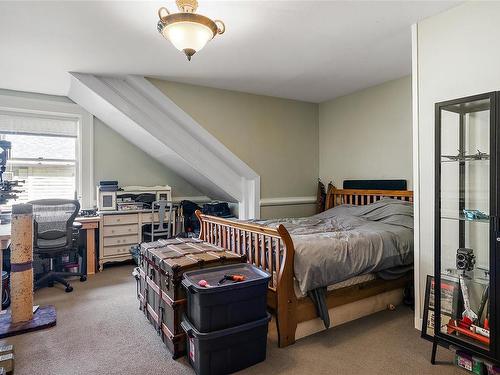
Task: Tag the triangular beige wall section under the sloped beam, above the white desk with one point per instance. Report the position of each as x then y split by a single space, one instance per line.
115 158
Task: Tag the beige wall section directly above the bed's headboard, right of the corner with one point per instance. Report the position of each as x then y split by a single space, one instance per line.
368 134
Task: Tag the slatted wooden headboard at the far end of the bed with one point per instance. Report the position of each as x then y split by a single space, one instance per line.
336 197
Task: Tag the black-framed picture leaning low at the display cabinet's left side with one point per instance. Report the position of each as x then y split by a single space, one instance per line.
449 305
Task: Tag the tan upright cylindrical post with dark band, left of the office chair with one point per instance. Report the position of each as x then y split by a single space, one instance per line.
21 277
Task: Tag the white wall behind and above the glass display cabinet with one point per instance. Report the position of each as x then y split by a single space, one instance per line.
457 55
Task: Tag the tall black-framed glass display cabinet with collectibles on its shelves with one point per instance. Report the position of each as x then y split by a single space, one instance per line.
467 233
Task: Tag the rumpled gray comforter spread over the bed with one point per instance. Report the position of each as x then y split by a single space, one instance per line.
348 241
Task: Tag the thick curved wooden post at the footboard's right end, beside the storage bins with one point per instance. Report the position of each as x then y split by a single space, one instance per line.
286 301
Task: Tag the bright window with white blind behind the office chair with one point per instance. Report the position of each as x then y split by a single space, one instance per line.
44 153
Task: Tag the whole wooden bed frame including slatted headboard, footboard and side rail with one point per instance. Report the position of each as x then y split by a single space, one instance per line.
262 247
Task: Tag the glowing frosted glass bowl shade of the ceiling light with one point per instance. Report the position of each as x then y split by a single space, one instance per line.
188 35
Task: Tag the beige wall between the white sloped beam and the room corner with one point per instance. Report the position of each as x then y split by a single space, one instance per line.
278 138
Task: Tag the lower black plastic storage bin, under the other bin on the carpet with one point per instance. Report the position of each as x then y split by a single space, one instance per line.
228 350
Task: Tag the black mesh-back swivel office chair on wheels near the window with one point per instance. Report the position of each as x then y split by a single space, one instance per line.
55 232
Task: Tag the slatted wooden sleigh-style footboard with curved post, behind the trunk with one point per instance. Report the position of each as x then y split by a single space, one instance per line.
270 249
